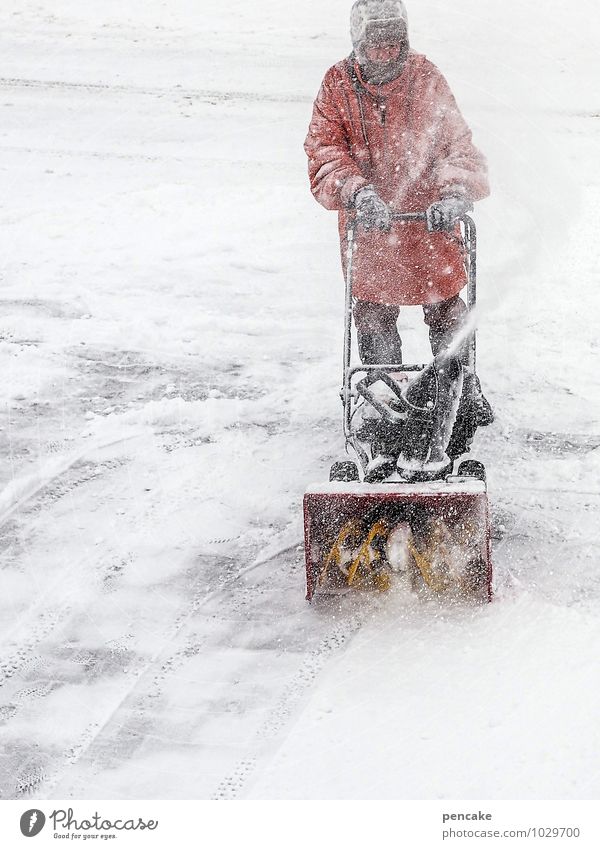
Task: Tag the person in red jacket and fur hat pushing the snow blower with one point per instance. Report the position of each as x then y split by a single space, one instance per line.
387 135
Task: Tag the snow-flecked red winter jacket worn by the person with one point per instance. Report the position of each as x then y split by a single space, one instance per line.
408 139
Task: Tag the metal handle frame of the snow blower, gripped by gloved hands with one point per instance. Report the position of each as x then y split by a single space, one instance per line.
469 237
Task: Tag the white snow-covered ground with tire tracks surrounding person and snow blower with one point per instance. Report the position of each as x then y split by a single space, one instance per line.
170 336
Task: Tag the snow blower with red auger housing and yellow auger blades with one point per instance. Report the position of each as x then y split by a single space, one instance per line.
399 509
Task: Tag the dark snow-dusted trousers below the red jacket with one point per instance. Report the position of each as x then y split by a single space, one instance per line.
378 337
